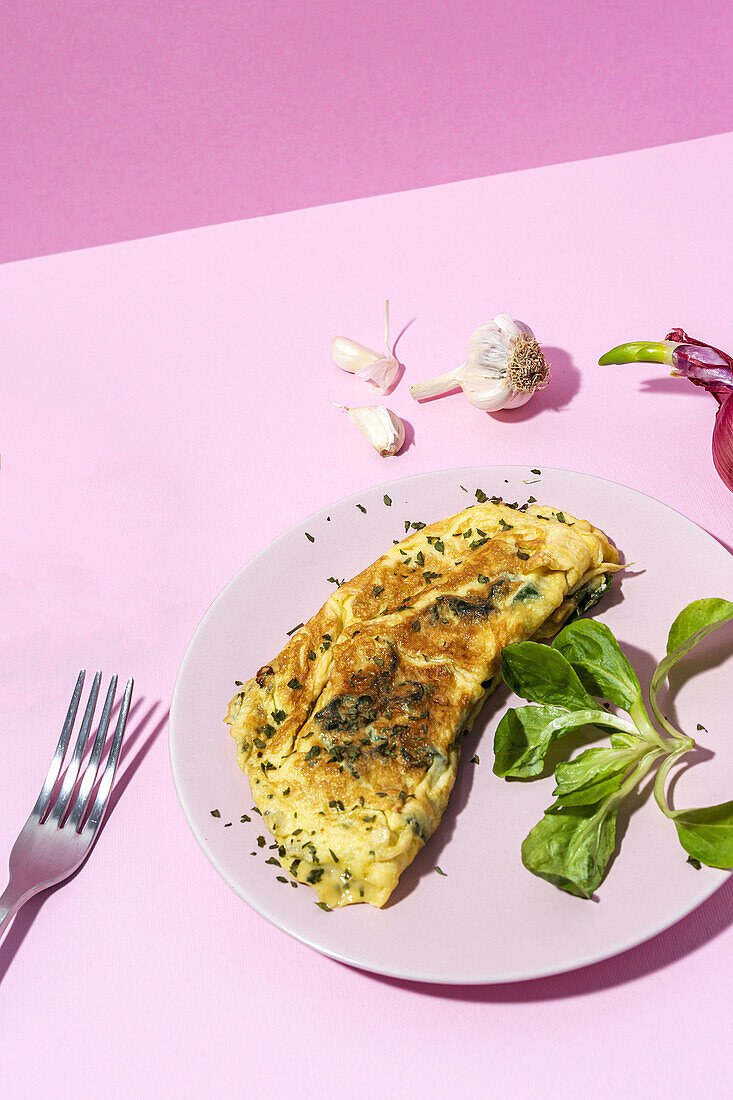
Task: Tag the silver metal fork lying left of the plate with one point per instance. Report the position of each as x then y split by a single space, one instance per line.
57 839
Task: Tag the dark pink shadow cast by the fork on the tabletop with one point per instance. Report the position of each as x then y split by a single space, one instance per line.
138 725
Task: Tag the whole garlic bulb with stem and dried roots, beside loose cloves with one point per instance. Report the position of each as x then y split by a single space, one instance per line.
504 369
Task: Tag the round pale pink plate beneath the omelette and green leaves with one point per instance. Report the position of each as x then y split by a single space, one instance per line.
487 919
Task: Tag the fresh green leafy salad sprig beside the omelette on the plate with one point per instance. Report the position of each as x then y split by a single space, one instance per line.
574 843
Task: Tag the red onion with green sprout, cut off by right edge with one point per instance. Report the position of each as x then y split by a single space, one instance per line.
704 366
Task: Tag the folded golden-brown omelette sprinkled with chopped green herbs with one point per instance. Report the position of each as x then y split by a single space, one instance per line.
352 736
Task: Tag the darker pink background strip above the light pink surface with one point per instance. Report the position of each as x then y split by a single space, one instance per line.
140 117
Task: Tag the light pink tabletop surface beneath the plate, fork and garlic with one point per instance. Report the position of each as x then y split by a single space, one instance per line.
166 414
